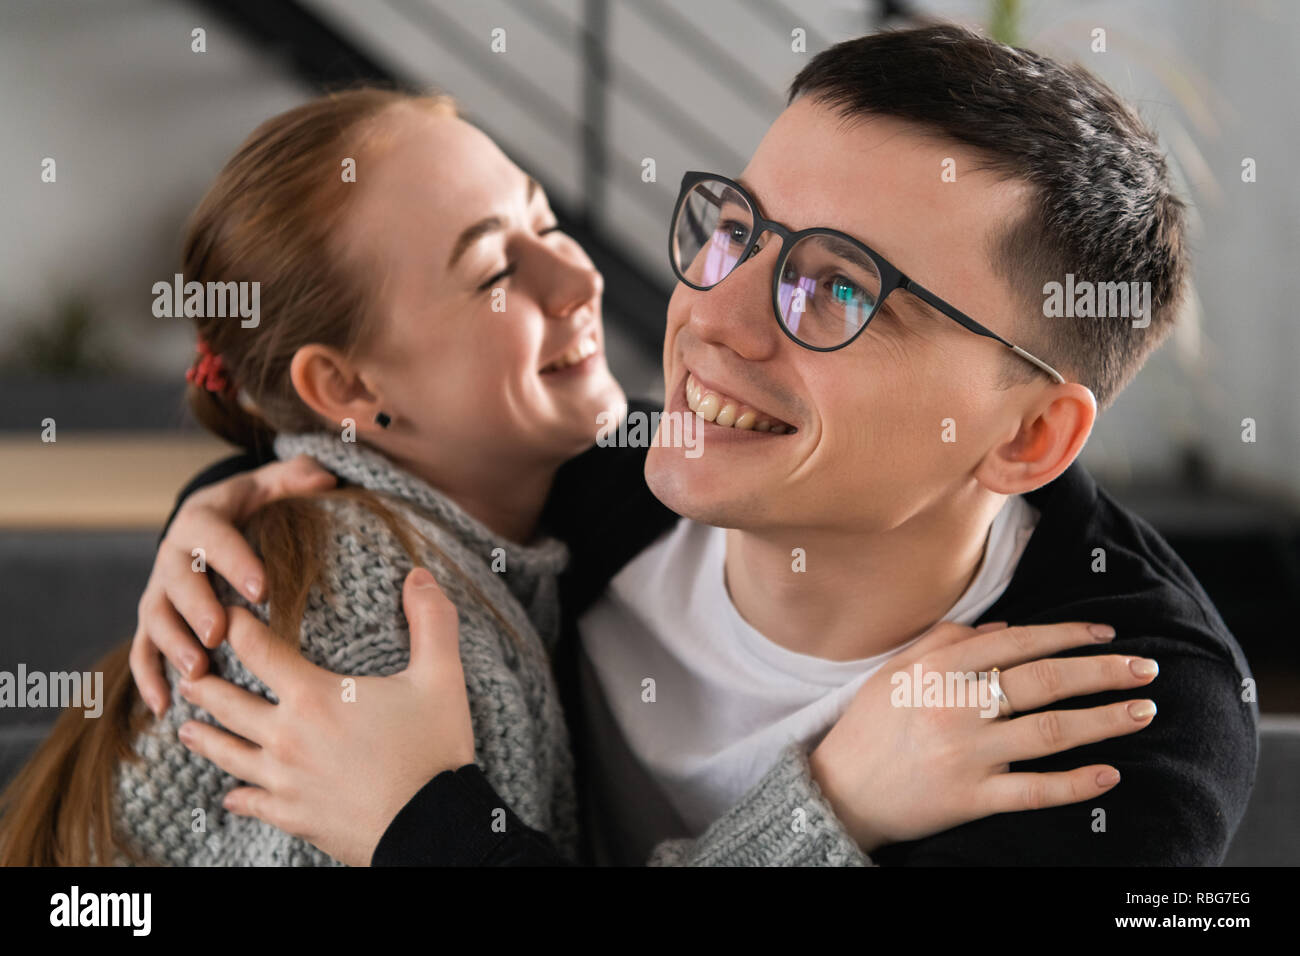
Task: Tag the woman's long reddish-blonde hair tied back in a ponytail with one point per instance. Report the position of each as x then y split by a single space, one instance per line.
272 217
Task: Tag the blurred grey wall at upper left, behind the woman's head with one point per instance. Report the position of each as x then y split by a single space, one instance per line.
138 127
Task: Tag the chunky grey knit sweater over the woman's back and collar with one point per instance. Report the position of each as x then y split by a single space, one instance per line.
170 802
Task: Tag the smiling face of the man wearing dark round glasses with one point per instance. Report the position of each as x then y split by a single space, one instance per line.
868 451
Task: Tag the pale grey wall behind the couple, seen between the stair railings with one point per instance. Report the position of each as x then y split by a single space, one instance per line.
140 124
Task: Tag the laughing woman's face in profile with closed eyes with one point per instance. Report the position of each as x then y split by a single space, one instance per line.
489 351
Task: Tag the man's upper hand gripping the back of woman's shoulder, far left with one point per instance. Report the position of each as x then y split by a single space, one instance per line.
179 602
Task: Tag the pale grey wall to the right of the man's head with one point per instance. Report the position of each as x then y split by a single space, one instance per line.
1219 81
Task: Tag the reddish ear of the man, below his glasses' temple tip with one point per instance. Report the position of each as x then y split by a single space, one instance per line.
1050 439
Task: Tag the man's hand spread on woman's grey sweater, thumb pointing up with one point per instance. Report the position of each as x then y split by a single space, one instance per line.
322 767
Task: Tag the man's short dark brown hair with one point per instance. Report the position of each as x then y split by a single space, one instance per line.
1103 207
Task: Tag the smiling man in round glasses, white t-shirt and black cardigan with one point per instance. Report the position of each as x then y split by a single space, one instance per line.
894 423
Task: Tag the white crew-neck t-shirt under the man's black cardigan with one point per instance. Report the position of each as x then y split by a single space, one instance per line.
727 699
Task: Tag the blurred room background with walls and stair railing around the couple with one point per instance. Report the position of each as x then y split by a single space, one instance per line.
592 96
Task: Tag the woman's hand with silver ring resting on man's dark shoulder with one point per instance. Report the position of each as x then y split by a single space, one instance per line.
902 773
